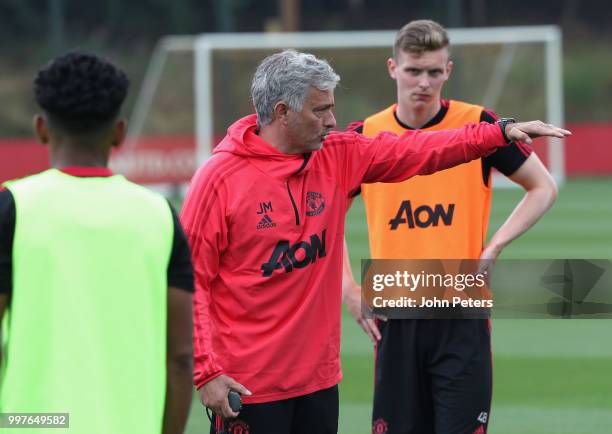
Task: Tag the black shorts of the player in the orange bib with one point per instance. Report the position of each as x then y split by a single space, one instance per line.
433 377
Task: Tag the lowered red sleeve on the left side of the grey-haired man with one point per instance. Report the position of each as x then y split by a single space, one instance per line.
203 218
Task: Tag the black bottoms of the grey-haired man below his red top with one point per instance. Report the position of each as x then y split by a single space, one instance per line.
315 413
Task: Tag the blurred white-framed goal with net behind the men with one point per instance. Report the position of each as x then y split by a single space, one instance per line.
196 86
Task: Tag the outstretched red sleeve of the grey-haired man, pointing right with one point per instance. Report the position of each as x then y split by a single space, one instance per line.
391 158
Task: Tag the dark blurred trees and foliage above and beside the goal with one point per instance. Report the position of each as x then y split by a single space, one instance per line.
35 30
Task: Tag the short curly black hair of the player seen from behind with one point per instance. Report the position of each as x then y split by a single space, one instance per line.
80 91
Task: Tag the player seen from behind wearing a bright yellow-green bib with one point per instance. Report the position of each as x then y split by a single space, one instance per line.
96 279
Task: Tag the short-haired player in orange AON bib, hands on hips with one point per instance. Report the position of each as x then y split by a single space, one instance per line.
435 376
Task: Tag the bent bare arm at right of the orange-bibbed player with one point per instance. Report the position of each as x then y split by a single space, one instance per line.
540 194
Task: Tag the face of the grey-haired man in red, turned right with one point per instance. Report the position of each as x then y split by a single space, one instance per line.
307 128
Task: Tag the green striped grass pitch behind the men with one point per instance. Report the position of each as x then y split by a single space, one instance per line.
550 376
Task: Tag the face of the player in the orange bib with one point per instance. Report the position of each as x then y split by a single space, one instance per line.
420 77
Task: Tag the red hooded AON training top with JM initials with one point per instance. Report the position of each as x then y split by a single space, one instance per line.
266 231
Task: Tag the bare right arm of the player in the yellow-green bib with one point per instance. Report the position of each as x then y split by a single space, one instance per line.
179 364
